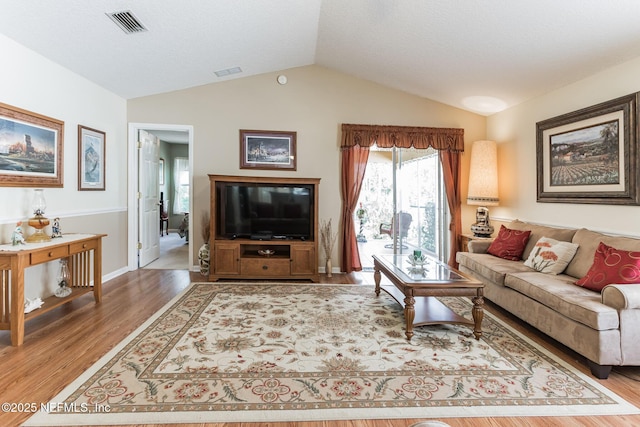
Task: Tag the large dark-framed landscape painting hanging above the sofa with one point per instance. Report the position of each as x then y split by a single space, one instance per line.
590 155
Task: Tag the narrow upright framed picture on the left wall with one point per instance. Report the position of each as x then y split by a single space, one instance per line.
91 159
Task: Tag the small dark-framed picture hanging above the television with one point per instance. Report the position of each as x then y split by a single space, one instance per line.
265 149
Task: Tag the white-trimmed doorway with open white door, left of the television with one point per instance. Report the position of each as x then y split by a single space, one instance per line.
139 224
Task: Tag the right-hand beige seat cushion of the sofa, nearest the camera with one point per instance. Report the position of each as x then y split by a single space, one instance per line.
560 294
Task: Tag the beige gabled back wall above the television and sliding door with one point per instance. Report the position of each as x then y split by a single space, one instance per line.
314 103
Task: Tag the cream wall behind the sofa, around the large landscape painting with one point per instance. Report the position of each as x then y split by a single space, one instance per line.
515 132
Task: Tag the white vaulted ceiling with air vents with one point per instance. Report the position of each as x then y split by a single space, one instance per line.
497 53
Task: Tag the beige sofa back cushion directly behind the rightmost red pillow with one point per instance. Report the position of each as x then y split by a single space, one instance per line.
588 242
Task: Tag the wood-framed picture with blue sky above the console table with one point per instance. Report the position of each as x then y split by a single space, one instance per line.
31 149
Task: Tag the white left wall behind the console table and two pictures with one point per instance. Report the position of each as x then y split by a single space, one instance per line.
31 82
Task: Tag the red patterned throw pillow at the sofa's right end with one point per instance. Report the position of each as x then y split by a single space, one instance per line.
611 265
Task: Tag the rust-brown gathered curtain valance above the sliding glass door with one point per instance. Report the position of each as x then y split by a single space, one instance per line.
449 139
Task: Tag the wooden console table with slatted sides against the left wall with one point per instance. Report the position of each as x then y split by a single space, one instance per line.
84 252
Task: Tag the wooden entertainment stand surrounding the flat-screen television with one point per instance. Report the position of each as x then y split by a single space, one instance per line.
249 258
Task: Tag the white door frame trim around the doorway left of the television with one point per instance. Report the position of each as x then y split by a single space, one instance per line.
132 191
